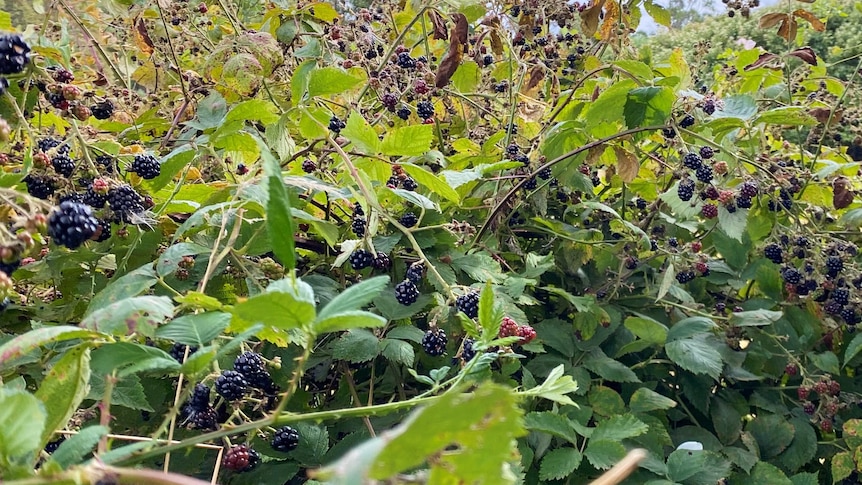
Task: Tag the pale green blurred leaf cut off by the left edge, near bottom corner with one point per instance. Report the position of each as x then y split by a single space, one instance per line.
23 418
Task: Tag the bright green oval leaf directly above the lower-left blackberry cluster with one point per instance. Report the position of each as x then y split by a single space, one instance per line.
276 309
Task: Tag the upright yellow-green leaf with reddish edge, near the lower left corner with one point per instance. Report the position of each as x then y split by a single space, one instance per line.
64 388
